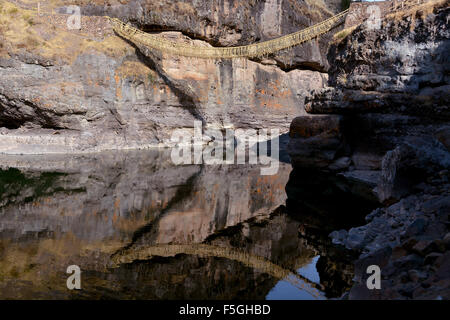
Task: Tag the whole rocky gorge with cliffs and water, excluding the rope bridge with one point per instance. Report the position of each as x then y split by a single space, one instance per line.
86 176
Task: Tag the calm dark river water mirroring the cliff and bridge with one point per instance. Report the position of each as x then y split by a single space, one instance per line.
141 228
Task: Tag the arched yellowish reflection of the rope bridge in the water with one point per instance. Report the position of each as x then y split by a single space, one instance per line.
205 250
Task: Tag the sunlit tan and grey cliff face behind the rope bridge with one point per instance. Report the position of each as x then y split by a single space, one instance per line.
88 90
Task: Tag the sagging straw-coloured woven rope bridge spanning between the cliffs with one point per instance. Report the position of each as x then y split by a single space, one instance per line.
250 51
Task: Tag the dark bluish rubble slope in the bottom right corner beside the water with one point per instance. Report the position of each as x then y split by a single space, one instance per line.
415 257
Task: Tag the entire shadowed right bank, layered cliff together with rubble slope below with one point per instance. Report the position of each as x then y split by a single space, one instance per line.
382 128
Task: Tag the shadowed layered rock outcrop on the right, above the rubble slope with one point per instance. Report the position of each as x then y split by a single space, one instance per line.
389 87
